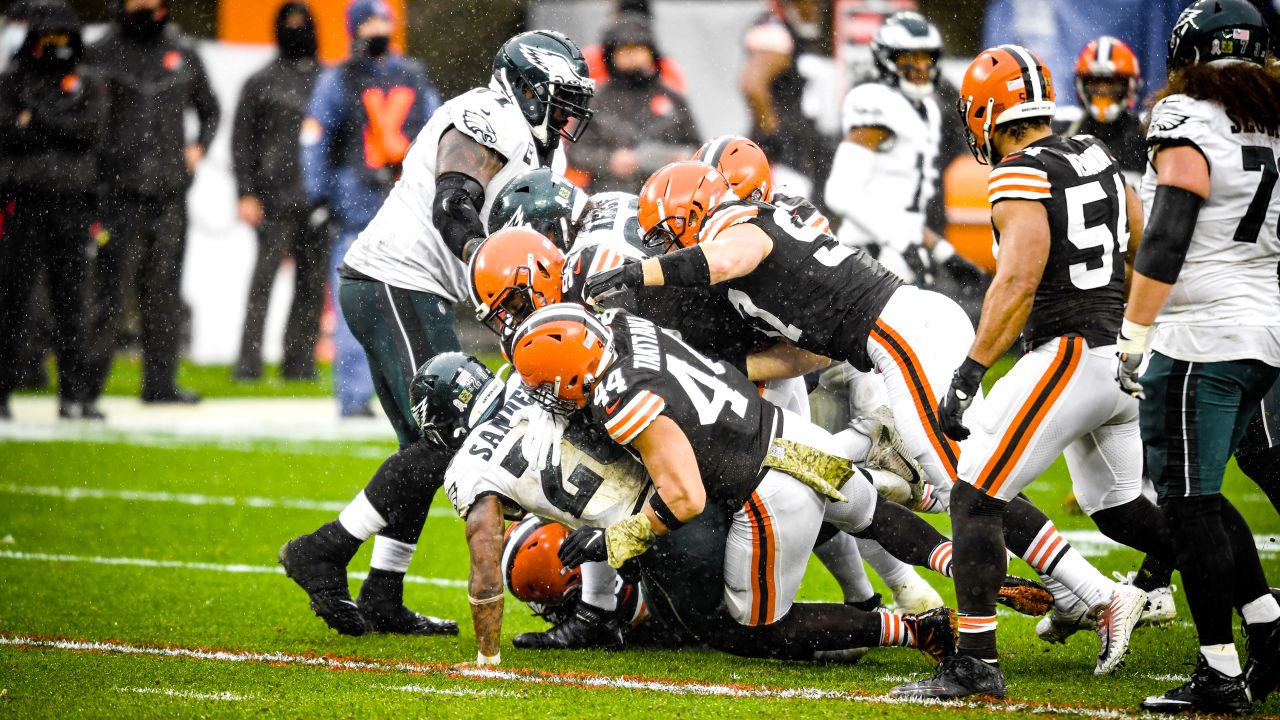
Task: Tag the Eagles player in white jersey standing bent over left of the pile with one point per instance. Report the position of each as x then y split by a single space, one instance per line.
399 284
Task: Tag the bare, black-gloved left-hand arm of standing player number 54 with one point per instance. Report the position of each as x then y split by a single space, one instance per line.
1025 241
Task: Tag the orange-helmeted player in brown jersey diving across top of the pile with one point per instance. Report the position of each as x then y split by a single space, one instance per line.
803 288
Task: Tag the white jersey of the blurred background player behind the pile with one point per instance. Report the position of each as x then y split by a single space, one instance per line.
890 207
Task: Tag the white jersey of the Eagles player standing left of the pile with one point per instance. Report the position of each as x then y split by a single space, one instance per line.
401 247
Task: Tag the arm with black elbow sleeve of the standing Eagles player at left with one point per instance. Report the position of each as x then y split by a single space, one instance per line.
463 171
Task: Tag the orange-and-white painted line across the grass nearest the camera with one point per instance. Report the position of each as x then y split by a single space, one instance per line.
537 677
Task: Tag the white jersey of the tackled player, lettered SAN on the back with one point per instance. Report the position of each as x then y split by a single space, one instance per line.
598 482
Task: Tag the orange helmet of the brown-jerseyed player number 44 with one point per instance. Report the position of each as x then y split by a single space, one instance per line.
560 352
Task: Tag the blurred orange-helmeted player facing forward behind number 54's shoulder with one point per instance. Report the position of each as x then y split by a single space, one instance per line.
1108 81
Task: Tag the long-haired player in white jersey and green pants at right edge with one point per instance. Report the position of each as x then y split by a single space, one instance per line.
1206 279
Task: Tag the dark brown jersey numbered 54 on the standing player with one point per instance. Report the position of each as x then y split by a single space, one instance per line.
1081 186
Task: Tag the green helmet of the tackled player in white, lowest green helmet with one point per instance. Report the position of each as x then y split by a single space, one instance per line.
452 394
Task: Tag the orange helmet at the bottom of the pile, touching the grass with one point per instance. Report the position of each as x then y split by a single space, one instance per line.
531 563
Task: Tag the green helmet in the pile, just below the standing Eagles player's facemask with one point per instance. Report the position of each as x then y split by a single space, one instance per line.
541 200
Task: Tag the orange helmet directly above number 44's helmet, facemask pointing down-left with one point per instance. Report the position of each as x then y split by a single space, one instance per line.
514 272
